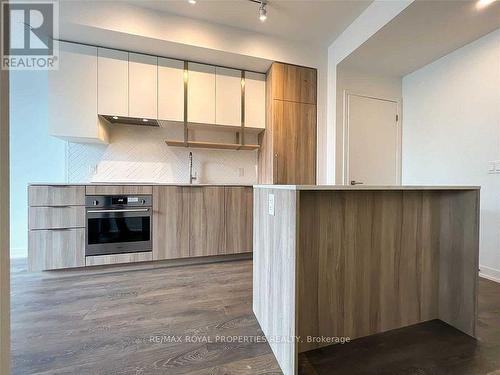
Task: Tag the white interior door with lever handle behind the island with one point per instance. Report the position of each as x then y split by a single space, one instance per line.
373 141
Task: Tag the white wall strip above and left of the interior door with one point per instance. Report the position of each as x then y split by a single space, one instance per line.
358 82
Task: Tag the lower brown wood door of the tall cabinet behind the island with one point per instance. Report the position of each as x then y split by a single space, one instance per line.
294 143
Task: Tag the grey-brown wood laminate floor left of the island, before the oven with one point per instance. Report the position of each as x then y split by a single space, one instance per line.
120 323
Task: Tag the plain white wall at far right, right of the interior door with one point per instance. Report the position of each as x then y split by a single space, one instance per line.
452 130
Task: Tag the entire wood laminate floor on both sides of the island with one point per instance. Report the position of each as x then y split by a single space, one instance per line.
105 322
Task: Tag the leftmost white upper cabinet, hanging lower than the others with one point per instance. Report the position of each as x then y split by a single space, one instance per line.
72 96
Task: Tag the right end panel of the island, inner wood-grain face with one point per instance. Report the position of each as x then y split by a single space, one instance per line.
459 259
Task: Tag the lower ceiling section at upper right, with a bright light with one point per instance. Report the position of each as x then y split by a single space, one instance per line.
422 33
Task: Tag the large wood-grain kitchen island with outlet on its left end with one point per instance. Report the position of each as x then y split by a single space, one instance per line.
336 262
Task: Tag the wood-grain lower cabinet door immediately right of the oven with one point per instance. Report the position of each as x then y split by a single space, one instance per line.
170 222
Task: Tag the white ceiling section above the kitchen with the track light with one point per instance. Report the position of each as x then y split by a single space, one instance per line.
313 21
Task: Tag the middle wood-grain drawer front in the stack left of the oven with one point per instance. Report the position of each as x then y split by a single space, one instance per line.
56 217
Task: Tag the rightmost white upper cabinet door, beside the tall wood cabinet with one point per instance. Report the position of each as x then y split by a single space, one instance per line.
255 100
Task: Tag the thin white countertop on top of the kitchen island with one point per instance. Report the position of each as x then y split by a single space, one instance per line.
366 187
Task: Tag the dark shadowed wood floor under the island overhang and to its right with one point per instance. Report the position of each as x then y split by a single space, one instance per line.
430 348
